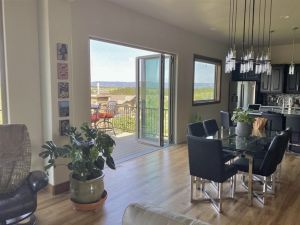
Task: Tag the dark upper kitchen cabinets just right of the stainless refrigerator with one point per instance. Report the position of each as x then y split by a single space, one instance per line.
273 83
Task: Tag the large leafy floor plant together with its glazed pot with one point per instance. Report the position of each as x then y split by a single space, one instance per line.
88 151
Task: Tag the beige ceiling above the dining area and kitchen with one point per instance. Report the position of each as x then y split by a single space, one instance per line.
210 18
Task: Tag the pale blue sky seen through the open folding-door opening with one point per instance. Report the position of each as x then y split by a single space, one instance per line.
111 62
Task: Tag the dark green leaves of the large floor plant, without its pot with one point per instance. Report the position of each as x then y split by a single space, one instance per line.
88 151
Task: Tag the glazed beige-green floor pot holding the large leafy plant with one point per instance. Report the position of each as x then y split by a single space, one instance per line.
88 191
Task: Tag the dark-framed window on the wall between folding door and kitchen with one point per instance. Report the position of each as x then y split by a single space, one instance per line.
207 77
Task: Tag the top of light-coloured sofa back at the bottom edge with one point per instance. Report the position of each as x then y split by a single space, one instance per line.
142 214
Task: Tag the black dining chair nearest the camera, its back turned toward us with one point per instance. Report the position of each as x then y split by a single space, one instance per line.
206 161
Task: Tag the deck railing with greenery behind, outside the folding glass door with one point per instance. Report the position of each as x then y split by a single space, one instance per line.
125 120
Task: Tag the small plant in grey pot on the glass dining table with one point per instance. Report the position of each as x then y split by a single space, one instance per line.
244 122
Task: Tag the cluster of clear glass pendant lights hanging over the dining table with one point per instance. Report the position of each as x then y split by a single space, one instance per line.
248 62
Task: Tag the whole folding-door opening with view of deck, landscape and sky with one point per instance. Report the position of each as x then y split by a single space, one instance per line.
135 87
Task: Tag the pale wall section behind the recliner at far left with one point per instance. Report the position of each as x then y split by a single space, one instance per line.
22 70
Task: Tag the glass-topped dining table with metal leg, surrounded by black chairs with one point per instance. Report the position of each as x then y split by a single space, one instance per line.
247 147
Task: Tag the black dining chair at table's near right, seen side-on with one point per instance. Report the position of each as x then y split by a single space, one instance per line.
266 166
